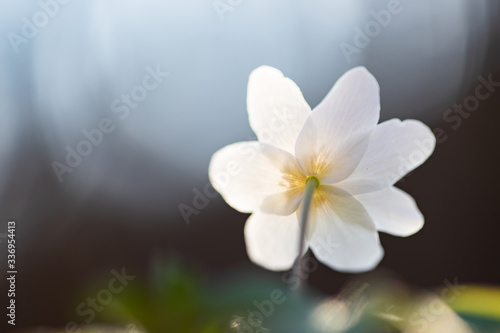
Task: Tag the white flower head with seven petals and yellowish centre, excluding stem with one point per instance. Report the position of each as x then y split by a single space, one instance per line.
356 161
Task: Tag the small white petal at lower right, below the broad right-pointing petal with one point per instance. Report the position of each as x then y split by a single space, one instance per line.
393 211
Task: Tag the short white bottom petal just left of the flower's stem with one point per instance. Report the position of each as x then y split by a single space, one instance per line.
272 241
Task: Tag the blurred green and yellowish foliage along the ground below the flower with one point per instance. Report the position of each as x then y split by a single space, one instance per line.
178 299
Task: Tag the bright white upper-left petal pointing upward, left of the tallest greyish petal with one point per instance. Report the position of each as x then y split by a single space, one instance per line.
276 108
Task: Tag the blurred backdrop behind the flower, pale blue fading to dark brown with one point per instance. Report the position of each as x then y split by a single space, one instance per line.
167 79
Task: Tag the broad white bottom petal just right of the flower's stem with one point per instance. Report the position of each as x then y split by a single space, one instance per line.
344 237
